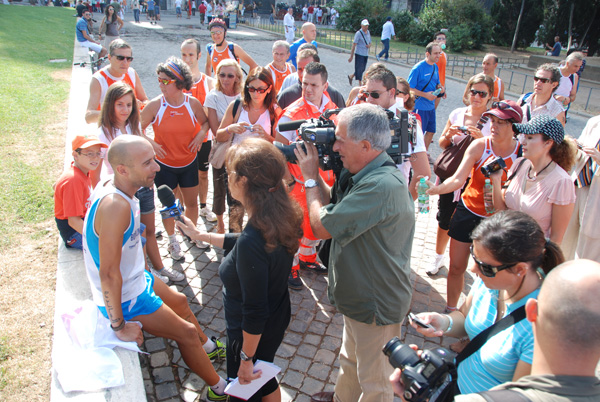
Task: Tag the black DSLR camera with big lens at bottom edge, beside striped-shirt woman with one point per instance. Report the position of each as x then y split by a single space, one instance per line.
425 378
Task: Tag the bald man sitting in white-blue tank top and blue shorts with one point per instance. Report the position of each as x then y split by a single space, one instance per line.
121 288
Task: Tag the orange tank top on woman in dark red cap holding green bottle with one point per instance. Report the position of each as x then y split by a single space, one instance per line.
472 197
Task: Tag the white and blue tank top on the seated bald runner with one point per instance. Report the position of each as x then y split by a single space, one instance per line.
132 255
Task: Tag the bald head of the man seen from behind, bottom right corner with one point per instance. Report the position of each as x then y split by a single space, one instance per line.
568 308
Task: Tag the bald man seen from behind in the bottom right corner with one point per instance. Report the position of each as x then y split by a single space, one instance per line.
566 328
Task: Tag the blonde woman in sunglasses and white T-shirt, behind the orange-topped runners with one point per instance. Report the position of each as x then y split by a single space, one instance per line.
227 89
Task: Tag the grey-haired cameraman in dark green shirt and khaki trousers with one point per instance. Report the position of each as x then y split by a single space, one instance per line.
371 223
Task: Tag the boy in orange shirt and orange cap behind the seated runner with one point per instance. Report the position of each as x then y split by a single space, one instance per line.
72 189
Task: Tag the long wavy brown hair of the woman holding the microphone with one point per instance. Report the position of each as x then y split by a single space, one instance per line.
272 212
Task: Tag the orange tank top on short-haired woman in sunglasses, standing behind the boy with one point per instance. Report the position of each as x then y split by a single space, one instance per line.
174 128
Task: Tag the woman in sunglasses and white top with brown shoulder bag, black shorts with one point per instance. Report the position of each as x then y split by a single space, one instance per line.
462 122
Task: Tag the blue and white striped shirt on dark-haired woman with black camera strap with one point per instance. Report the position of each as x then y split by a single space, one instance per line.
495 362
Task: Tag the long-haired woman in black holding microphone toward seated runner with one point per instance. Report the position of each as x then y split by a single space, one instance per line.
257 261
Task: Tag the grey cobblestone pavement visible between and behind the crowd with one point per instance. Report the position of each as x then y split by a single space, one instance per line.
308 354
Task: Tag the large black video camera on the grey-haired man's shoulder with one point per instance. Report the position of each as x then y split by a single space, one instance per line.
321 133
